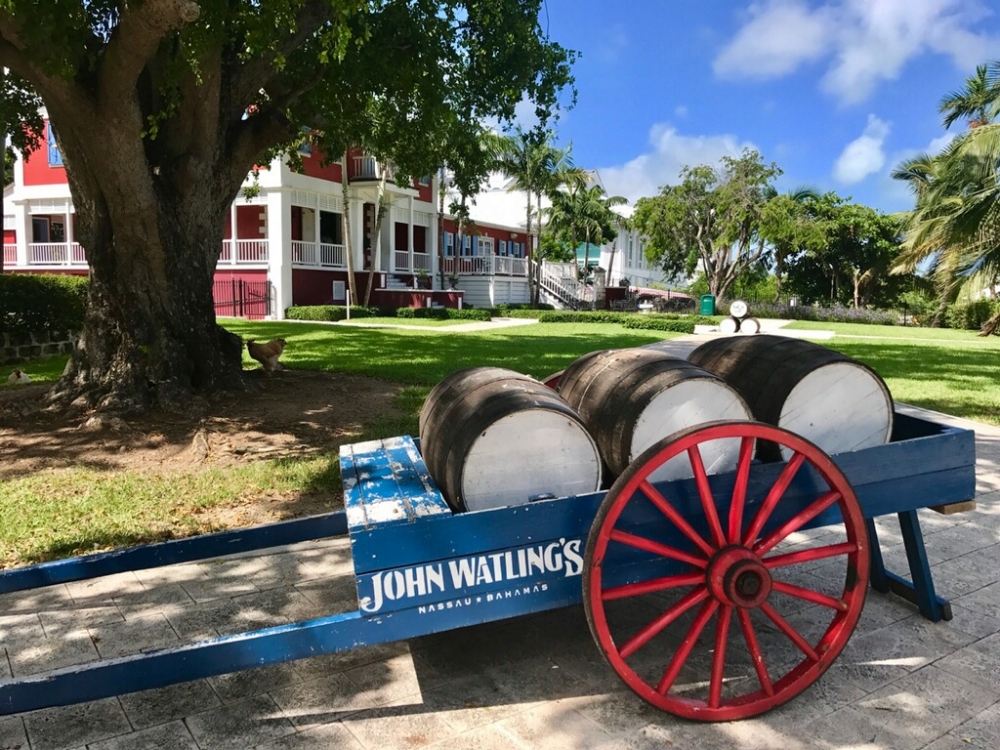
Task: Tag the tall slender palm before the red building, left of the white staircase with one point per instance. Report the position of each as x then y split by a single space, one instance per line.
536 167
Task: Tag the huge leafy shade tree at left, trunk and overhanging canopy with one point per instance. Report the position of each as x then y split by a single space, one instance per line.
162 107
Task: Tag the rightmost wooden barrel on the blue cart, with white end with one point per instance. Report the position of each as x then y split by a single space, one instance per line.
825 396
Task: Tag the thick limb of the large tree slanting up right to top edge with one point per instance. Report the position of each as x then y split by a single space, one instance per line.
135 40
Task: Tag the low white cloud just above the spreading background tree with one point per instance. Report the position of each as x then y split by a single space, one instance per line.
645 174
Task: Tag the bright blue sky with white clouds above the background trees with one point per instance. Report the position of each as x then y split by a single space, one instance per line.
836 92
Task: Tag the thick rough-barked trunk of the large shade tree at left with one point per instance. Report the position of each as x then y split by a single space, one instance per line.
152 228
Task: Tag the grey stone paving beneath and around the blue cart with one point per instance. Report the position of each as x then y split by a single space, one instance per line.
536 682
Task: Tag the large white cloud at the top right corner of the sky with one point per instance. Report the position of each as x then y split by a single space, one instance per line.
864 42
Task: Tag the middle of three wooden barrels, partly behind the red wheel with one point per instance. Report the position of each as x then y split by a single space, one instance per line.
630 398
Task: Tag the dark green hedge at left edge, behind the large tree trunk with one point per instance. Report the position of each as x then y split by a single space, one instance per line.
42 303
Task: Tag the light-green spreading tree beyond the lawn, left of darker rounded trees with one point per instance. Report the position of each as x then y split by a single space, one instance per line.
712 218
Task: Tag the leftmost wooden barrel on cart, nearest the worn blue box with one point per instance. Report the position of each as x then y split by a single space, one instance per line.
493 437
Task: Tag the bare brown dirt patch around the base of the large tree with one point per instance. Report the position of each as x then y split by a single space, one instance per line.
294 413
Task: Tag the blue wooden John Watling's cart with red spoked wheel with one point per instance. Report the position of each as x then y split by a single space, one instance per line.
713 598
